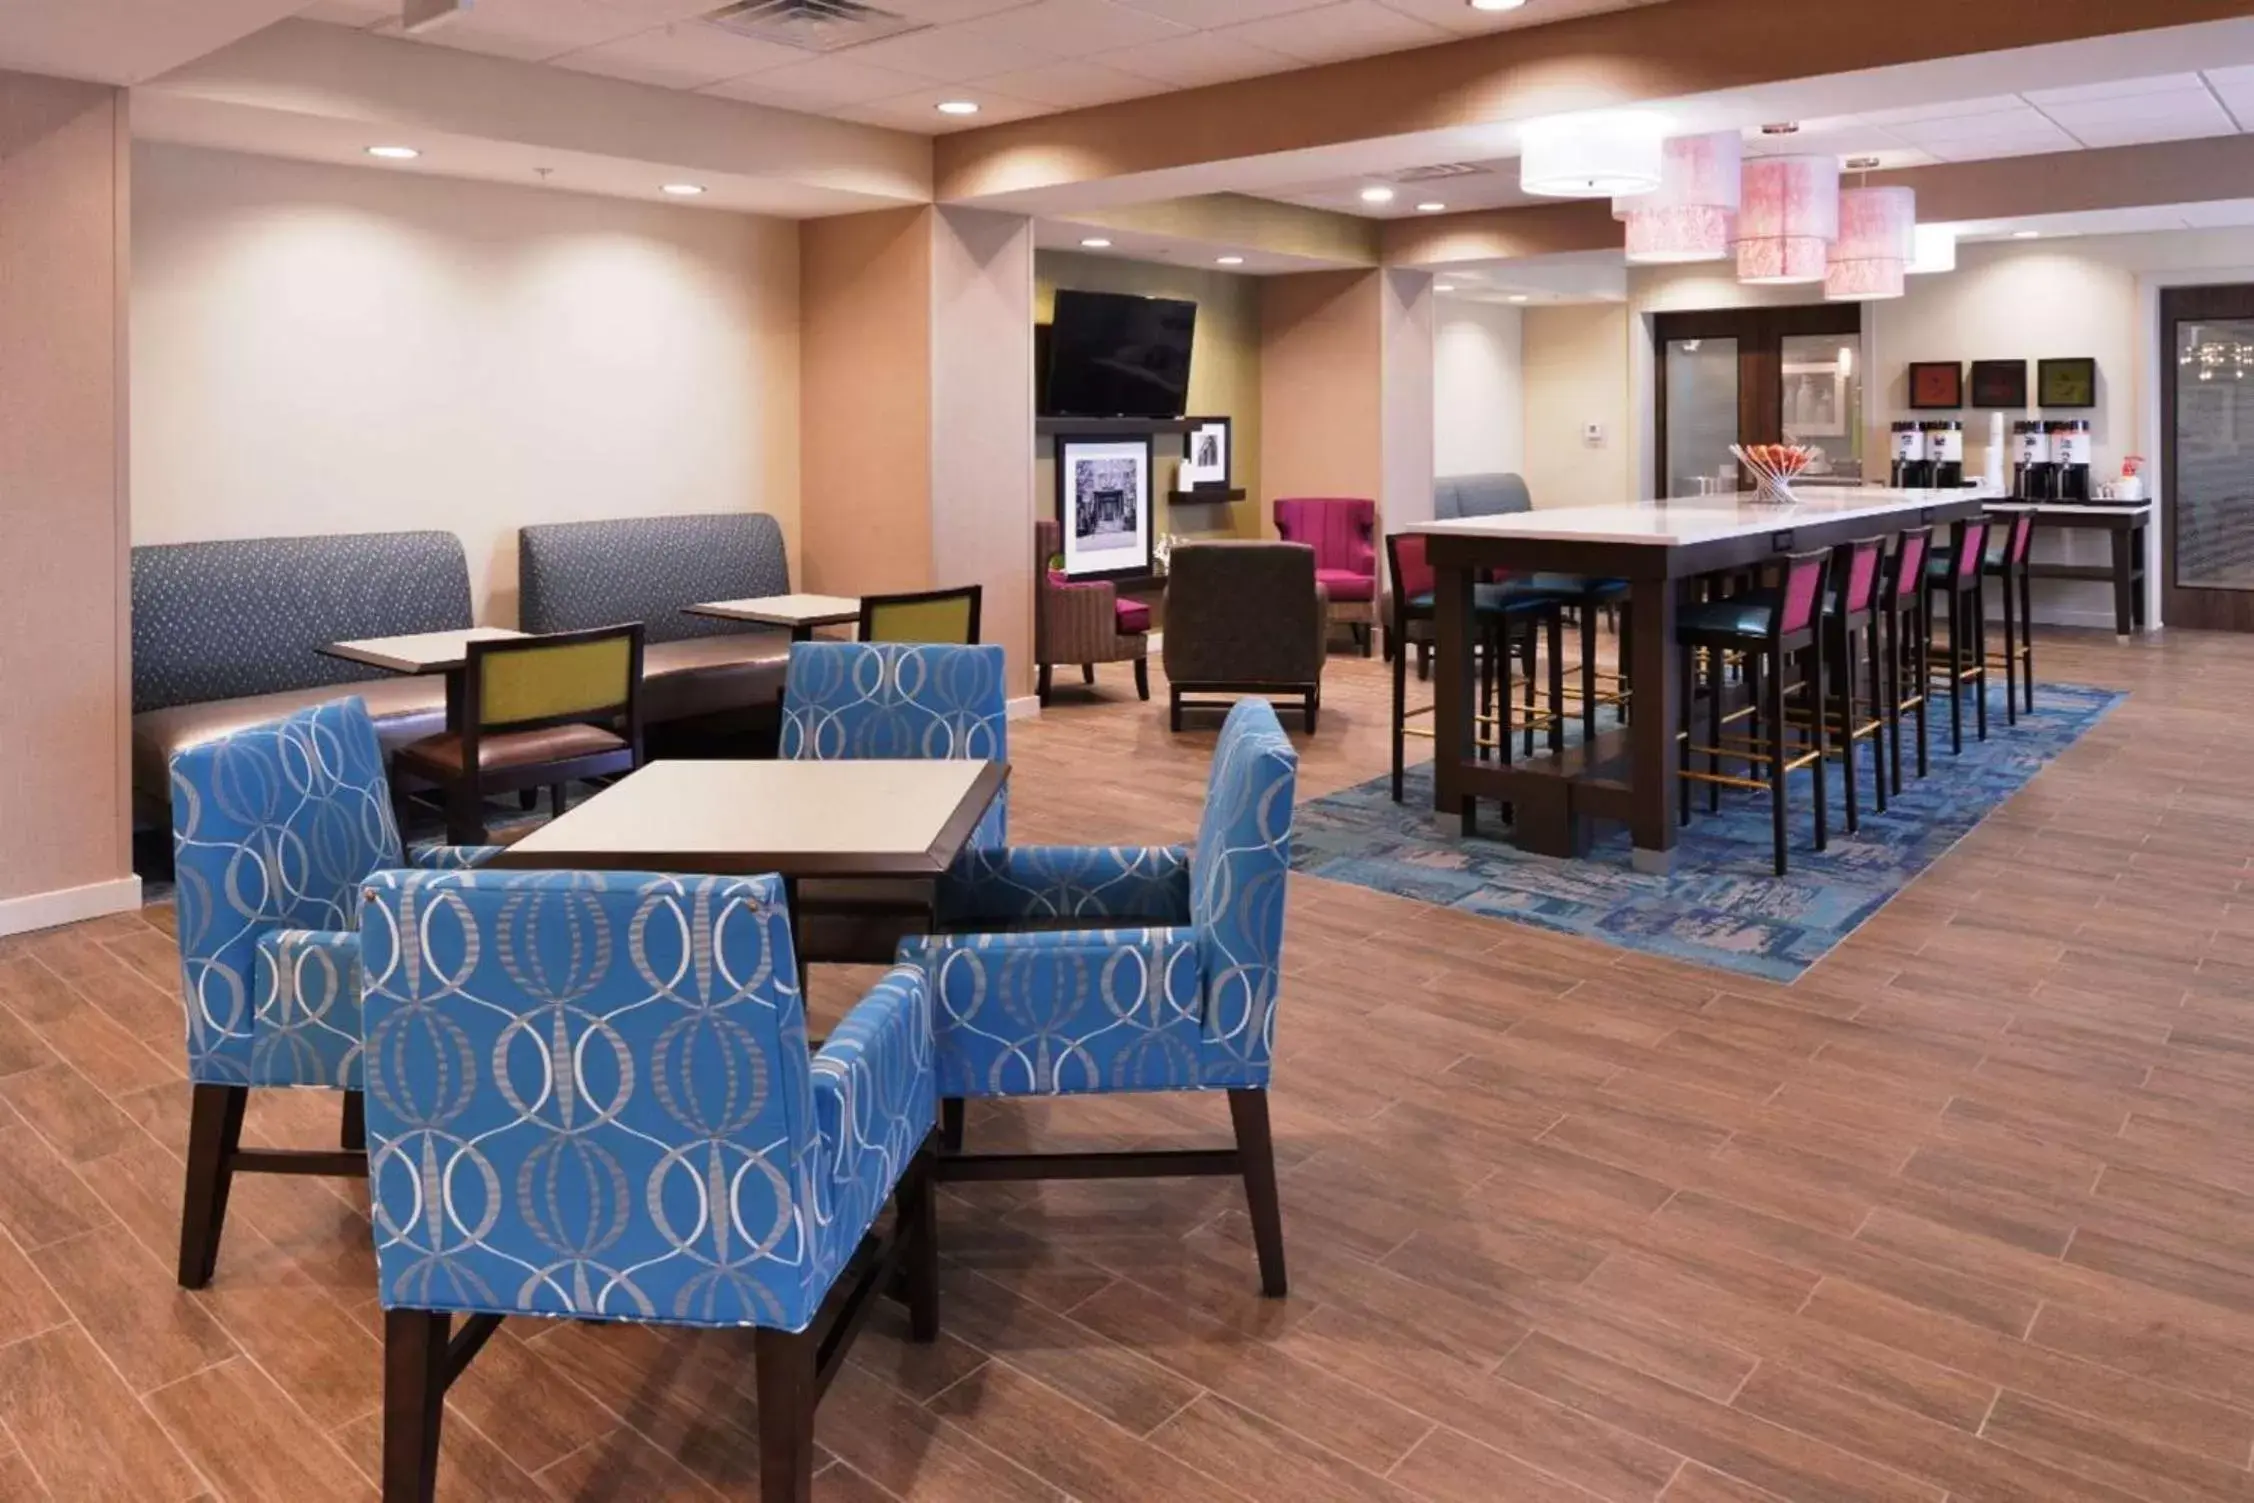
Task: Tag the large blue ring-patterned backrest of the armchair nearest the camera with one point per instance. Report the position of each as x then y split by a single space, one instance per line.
589 1096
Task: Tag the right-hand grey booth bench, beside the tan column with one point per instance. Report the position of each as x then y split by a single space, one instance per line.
646 569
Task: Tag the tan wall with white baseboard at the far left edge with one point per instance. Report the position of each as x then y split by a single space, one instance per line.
64 646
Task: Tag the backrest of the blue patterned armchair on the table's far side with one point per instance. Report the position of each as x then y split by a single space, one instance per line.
900 702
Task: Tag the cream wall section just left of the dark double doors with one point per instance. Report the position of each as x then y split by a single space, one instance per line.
1577 371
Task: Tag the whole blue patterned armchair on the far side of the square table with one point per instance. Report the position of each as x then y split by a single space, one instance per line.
891 702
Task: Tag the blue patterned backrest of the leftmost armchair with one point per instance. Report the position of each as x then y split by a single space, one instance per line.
274 830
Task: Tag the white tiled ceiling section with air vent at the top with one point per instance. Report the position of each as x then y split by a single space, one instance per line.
1013 57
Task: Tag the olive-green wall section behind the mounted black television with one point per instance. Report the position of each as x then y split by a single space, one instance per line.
1225 373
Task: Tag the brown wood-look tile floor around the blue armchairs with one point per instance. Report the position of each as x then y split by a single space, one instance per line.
1967 1213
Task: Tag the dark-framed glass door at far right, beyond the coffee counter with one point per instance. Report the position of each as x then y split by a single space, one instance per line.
2208 454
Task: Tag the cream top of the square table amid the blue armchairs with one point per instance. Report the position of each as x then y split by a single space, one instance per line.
761 817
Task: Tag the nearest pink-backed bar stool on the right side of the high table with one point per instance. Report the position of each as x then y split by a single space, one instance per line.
1768 630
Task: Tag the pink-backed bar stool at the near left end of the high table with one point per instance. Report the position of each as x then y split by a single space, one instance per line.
1507 621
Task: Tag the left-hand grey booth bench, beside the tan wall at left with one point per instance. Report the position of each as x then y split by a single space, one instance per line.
229 637
